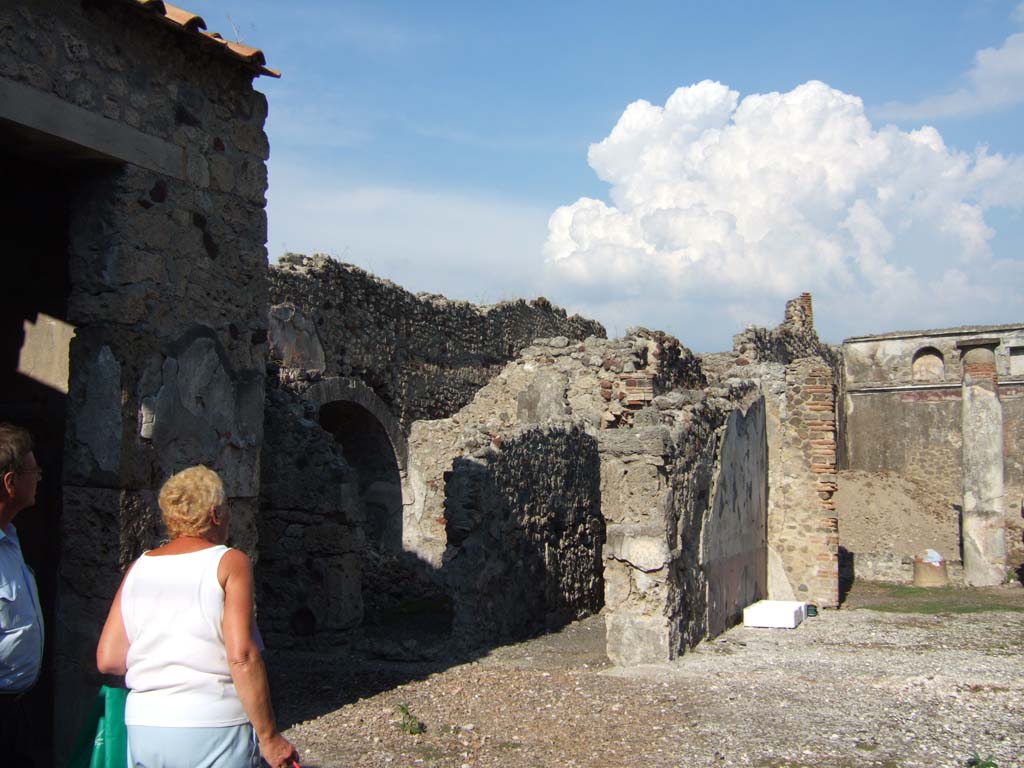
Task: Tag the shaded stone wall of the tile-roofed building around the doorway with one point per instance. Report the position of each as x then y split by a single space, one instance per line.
168 297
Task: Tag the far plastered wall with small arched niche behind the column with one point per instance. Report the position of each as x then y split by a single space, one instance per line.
897 423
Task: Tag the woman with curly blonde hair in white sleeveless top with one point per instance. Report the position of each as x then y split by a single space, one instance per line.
182 631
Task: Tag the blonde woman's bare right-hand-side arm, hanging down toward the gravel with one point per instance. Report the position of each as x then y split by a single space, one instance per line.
245 662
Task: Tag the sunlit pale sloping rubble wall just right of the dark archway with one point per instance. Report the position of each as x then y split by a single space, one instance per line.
598 383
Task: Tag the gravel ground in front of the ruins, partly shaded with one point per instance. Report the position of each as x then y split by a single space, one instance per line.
852 688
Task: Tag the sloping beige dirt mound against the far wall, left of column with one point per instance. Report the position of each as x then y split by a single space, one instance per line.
885 514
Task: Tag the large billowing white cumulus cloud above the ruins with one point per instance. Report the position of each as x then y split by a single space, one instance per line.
721 207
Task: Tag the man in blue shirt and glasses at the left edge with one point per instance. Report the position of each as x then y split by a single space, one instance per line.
21 617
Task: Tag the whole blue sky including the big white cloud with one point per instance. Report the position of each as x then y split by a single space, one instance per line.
448 147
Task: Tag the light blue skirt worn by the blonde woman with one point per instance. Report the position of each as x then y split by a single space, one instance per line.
228 747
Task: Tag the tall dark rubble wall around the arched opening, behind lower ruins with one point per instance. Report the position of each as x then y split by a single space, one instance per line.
335 325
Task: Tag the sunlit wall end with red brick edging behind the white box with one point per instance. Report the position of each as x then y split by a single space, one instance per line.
803 528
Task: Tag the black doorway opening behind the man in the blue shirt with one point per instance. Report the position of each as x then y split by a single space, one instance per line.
35 203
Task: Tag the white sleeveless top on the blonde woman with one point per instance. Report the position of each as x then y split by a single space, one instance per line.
174 607
